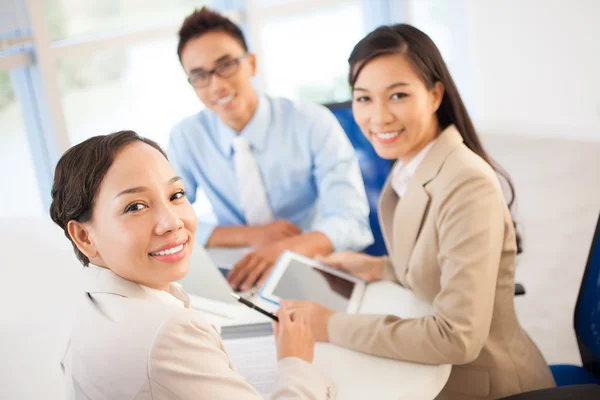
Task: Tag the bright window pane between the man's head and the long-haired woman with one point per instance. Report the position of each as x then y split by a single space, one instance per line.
294 67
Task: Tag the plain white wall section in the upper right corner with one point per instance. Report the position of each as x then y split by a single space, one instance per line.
537 66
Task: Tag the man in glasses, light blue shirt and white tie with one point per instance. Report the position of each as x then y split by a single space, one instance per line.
280 175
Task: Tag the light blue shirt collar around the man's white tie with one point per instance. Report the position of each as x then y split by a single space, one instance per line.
255 131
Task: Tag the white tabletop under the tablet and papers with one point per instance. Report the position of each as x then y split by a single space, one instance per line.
361 376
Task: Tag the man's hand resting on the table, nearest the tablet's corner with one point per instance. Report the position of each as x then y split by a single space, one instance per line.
255 266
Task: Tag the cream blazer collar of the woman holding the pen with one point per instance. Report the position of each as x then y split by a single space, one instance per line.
103 280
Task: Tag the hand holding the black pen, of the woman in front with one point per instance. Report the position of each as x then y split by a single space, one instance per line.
293 336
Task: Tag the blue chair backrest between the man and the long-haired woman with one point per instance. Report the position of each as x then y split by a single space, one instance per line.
374 169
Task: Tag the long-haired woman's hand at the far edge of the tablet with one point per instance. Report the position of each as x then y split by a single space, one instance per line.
368 268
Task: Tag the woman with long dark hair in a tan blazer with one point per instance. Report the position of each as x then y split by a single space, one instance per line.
447 227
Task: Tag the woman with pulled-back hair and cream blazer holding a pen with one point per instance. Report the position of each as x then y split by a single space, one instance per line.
134 336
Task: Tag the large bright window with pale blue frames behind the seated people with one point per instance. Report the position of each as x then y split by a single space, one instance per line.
70 69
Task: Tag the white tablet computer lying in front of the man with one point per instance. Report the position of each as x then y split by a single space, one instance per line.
296 277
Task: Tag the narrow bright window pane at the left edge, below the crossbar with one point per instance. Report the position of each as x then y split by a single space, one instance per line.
20 193
